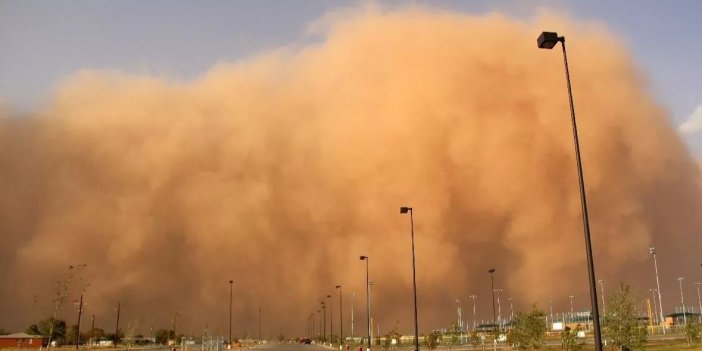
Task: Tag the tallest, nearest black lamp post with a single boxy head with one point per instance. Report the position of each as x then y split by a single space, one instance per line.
547 40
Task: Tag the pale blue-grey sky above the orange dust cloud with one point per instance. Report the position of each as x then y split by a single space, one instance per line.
42 42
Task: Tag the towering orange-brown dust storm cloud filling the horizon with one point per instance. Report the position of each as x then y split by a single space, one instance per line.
279 170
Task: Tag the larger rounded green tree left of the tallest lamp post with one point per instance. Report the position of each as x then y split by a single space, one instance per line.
528 329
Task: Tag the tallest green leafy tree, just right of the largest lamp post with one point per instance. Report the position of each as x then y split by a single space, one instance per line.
621 324
